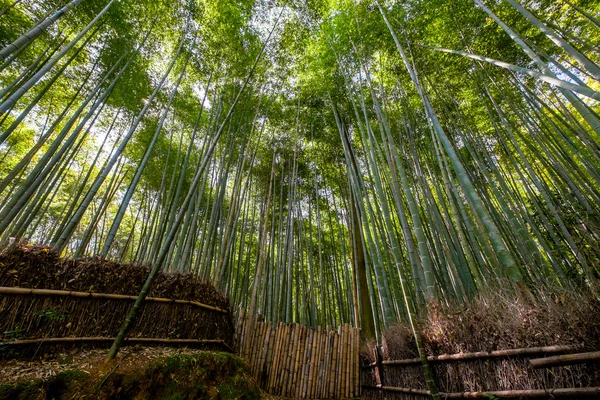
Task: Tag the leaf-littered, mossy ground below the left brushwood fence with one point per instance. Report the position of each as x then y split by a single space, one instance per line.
136 373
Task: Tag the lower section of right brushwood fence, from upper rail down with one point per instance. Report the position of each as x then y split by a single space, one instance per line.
494 374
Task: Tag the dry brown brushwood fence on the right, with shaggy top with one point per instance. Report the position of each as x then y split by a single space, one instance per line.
493 322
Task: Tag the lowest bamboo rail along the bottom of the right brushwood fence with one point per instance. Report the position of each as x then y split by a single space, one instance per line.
592 392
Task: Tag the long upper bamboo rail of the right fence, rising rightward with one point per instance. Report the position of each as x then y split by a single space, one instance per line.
529 351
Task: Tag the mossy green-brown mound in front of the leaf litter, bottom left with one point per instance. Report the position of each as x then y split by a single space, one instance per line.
201 375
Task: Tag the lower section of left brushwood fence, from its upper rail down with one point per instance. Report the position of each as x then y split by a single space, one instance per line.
57 318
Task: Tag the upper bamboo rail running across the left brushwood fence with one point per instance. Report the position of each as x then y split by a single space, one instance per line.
65 293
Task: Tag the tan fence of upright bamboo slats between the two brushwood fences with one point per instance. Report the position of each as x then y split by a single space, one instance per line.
294 360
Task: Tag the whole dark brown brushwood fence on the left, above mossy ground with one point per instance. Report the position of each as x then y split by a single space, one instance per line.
34 316
